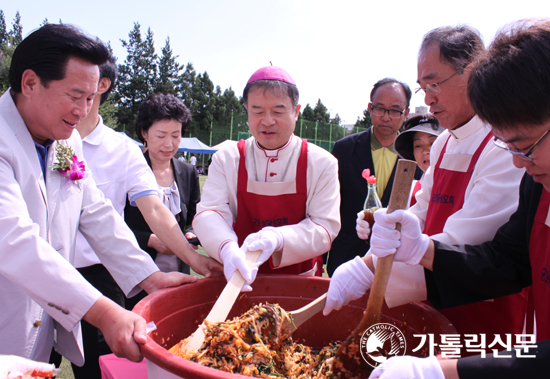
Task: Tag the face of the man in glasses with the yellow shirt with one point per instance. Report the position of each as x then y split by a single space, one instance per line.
390 97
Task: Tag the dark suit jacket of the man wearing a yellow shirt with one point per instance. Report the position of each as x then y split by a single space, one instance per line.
354 155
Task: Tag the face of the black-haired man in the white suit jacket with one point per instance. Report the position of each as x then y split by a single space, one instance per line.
54 111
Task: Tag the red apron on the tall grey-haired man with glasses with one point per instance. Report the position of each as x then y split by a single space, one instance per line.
499 316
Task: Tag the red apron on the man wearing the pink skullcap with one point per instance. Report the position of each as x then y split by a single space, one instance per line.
254 211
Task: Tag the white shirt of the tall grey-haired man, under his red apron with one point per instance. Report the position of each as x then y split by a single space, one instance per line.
491 197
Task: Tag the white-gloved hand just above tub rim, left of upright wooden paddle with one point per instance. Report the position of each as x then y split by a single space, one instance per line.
350 281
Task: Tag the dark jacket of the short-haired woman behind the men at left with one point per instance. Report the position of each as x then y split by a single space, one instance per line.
187 180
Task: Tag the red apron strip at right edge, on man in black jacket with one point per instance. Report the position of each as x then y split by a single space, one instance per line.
539 254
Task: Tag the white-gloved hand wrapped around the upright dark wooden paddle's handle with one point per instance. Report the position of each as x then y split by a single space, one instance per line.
409 246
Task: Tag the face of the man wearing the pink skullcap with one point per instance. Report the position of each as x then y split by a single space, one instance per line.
271 117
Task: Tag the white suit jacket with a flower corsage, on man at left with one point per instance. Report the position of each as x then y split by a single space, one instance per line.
39 219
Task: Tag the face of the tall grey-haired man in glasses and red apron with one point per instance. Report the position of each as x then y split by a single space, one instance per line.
451 106
